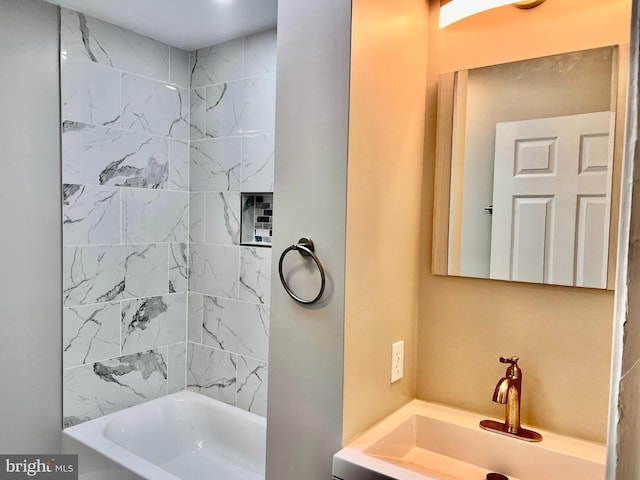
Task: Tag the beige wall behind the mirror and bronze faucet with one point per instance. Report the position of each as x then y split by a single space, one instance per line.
563 335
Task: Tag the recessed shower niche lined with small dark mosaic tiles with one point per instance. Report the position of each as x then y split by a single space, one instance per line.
257 219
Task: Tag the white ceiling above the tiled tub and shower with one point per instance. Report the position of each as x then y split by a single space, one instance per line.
186 24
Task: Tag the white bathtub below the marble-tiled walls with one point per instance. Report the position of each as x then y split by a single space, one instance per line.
183 436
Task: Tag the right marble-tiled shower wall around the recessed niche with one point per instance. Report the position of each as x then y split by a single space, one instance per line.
231 151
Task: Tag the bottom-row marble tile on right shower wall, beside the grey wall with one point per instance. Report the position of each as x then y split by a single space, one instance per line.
252 381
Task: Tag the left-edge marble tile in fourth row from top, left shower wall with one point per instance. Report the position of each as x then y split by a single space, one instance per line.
90 214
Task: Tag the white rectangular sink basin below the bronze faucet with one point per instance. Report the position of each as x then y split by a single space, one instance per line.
428 441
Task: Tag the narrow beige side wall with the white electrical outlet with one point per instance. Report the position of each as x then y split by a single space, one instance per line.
386 135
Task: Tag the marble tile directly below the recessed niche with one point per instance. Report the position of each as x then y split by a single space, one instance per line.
255 274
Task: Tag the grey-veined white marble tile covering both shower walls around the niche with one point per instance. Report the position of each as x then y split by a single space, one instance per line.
142 144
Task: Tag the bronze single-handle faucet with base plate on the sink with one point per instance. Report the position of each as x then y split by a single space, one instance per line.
508 391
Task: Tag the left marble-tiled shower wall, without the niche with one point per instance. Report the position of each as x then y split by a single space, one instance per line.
125 162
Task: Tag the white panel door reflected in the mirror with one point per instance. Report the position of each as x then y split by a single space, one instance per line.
551 200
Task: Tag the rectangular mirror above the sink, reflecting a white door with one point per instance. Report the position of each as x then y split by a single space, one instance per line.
531 151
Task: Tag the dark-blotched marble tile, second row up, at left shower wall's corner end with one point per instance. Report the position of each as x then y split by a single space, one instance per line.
152 322
